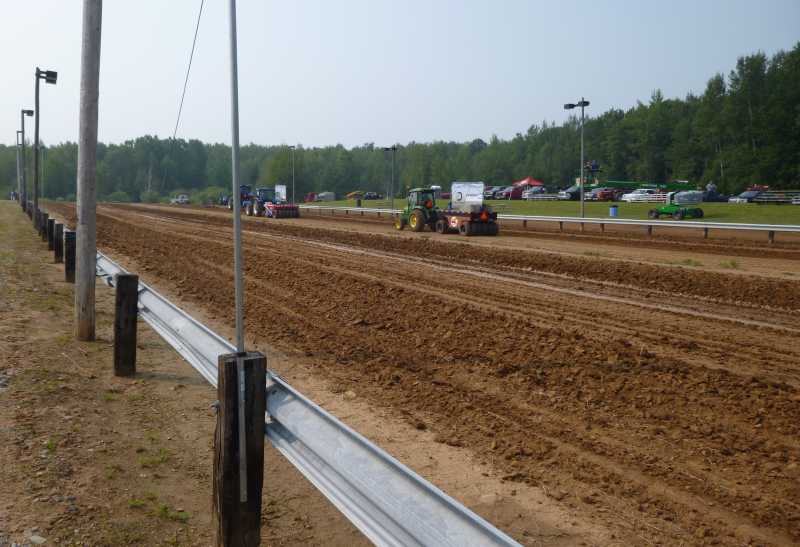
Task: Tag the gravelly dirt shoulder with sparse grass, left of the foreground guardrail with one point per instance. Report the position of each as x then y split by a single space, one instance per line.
91 459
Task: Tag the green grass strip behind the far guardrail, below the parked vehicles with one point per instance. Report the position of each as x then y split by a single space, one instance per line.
714 212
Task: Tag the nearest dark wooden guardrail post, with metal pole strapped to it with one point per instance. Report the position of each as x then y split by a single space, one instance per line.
239 448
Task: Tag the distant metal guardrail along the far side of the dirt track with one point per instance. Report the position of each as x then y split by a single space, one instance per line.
771 229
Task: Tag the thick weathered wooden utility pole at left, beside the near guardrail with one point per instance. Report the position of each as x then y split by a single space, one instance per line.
86 246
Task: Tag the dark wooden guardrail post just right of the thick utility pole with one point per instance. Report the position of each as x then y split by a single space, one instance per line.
126 313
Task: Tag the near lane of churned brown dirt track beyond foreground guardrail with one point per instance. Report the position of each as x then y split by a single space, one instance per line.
659 404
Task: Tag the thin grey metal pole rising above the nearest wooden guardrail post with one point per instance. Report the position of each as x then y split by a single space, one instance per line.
237 221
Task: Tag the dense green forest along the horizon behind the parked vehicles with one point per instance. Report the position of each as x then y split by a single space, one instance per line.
744 129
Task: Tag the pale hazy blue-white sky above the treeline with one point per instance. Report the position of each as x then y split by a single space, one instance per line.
355 71
